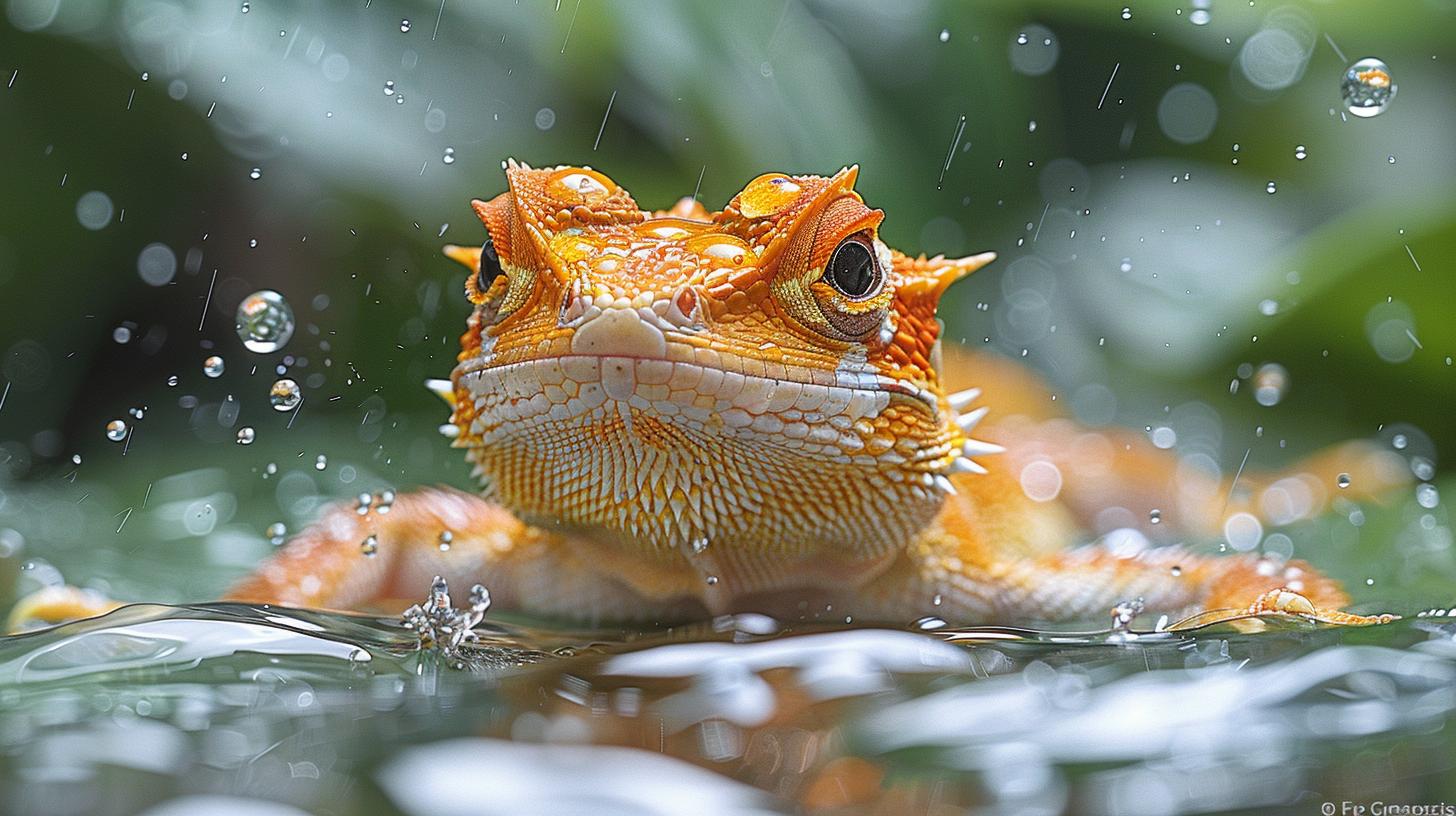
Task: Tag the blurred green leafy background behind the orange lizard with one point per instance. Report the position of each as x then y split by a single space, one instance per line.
1135 165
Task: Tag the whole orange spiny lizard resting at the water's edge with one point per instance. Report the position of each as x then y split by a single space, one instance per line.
691 413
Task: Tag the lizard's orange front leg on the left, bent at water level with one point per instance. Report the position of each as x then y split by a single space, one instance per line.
387 560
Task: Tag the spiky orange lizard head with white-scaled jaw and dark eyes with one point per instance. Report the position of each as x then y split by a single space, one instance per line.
761 377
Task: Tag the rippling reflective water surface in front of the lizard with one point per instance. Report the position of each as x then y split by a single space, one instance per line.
330 713
